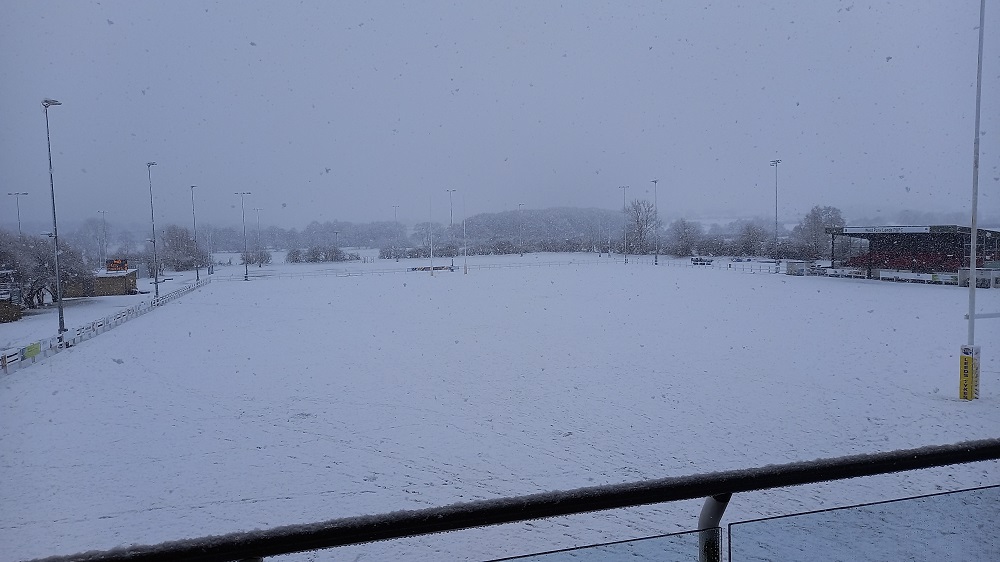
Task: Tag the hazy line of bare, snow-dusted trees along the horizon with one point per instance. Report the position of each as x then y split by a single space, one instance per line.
636 229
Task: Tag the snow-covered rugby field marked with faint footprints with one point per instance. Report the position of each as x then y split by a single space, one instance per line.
295 399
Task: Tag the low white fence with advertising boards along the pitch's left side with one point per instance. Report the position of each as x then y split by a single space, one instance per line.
21 357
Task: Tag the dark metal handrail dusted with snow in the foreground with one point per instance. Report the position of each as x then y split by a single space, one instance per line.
400 524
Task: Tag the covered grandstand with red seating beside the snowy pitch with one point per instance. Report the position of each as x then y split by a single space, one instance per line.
918 249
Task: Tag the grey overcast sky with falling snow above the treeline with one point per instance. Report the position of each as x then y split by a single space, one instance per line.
340 110
